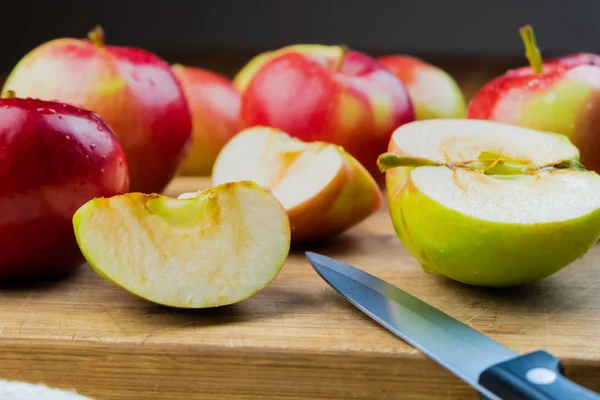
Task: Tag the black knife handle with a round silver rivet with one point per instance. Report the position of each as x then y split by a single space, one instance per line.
533 376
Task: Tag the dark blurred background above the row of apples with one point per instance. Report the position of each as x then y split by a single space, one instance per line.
224 34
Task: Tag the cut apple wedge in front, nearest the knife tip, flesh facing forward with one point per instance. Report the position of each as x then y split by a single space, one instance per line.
219 247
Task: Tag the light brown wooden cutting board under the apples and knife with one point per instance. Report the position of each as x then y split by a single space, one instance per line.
297 339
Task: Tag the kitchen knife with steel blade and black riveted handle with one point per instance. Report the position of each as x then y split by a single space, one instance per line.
495 371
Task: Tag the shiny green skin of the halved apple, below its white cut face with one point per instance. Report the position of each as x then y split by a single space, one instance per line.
485 253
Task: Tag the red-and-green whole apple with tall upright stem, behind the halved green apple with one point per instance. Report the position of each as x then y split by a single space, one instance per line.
561 97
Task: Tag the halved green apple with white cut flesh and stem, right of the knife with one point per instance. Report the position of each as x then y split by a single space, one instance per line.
488 203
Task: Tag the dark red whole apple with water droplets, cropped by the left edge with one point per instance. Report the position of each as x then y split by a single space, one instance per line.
53 158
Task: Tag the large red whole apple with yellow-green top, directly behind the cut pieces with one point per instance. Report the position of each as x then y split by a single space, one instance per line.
326 93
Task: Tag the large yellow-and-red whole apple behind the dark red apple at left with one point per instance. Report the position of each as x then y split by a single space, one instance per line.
133 90
